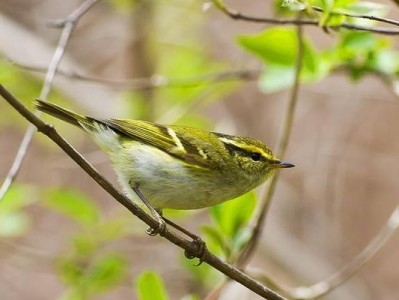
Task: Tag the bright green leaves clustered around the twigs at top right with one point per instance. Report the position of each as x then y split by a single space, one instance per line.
359 53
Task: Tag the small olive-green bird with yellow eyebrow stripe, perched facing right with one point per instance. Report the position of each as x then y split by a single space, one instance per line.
175 166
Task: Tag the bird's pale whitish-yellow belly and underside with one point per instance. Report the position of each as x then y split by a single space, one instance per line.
168 183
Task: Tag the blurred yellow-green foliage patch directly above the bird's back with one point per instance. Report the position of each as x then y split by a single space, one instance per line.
179 57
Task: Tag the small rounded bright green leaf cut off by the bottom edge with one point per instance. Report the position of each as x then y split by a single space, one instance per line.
149 286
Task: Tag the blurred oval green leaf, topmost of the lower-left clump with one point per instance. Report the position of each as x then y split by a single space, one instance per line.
74 205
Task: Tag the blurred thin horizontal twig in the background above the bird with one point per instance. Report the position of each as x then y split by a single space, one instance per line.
155 81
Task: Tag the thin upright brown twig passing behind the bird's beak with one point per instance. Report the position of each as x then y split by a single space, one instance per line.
250 247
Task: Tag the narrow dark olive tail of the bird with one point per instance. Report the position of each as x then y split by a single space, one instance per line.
65 114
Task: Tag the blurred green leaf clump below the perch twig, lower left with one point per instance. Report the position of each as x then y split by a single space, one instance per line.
87 266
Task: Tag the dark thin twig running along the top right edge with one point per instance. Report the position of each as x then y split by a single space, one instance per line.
236 15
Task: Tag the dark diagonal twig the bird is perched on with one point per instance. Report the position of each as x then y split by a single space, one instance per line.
170 235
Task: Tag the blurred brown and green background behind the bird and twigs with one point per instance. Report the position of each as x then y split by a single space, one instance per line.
63 237
